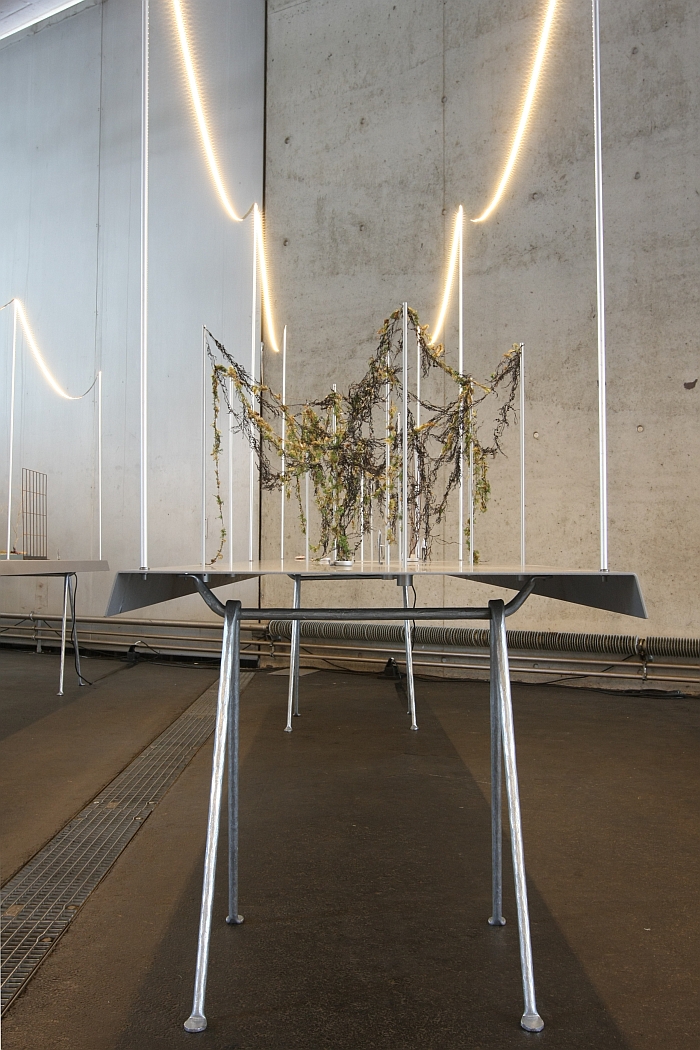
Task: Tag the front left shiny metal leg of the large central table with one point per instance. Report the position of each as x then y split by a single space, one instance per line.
227 686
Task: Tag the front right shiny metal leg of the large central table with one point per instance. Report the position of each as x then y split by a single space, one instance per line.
531 1021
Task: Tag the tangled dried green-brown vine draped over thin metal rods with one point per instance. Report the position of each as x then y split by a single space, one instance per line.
352 446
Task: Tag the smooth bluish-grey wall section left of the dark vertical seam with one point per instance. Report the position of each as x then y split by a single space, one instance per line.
70 215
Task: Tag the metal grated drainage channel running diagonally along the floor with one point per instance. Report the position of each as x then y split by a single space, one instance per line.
40 902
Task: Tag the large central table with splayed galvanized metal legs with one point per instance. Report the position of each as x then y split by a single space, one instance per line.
614 592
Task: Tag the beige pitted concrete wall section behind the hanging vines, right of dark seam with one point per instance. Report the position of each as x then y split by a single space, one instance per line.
383 118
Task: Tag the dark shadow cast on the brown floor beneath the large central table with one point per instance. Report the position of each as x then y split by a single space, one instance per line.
366 880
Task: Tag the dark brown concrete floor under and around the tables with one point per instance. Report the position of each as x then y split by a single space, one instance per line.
366 871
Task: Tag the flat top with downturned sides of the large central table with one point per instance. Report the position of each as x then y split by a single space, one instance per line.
614 592
